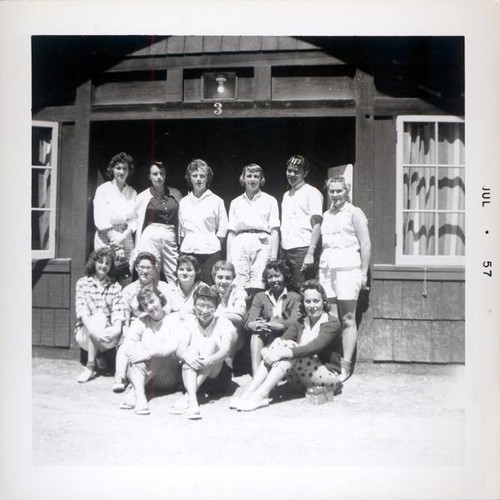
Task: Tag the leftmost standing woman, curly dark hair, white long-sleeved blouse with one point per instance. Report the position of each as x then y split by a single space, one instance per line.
114 207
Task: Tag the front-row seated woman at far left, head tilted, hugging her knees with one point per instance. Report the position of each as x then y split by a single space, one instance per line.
150 348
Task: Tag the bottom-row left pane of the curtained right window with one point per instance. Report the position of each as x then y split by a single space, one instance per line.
419 231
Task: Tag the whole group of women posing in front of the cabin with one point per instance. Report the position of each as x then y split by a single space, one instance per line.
188 313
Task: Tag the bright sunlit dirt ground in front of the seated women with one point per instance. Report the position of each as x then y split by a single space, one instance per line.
387 414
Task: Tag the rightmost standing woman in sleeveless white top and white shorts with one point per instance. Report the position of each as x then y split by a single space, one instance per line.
344 261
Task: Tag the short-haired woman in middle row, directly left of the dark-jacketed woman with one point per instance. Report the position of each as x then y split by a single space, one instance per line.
233 299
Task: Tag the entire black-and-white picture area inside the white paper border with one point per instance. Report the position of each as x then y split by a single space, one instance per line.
263 233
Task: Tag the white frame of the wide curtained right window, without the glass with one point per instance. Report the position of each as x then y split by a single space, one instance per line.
419 260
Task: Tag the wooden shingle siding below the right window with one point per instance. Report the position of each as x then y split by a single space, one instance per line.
401 324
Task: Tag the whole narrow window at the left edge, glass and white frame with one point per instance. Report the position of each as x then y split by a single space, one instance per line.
44 148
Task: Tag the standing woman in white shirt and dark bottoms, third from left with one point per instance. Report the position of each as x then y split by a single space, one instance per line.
202 219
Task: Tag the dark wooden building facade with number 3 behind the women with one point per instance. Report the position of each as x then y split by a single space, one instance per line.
391 107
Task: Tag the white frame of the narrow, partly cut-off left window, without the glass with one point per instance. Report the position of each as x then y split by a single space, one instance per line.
50 252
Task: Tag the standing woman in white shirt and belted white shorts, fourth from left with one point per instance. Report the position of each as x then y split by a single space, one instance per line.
253 237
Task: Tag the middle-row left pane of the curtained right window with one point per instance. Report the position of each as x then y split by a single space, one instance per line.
419 188
